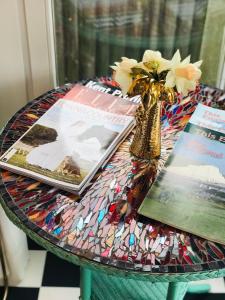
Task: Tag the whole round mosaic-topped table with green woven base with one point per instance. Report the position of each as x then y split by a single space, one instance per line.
122 254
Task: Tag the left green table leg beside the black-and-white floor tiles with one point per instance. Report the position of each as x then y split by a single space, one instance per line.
85 283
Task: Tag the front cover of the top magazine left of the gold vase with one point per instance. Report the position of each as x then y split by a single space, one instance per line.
66 142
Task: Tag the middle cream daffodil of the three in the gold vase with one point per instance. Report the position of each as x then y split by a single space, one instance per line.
153 60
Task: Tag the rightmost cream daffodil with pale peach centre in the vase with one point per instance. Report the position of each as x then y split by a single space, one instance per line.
183 74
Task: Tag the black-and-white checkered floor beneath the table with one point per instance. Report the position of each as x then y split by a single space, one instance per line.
49 277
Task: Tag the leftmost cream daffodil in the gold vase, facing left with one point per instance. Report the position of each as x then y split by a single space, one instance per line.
123 73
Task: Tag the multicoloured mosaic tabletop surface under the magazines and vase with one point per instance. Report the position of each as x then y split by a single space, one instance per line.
103 224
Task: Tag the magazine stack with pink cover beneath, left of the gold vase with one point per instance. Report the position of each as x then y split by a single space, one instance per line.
71 141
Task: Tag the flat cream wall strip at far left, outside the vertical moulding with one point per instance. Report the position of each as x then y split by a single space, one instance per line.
13 92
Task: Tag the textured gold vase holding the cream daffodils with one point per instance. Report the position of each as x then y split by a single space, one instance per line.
146 143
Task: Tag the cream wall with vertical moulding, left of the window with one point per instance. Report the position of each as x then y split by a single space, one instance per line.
26 57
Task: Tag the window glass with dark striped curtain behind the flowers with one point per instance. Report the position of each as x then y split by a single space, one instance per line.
92 34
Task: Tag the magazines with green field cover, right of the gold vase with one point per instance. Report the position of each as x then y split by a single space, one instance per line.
189 193
